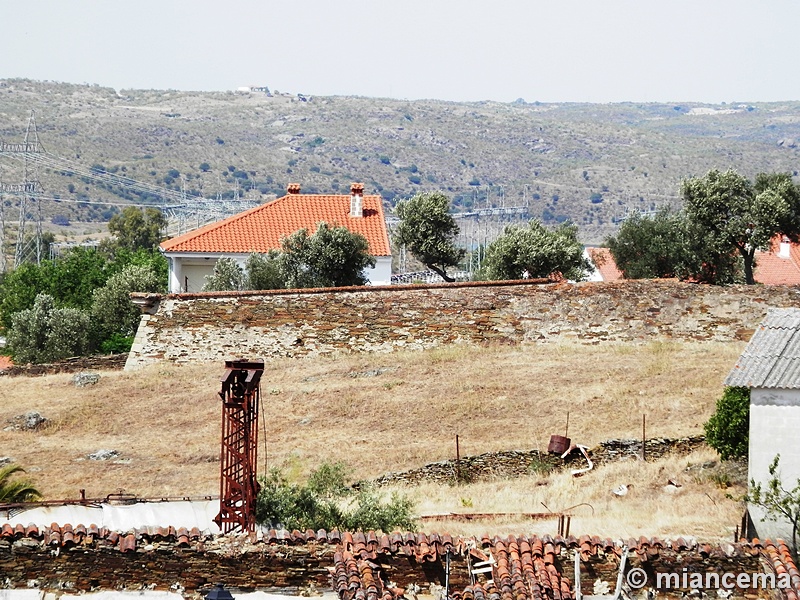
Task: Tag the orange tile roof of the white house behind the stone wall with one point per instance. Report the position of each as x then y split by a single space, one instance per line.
262 228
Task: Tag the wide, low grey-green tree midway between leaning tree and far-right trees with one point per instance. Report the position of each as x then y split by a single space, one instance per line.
536 251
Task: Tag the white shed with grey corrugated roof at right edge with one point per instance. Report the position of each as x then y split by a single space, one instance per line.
770 367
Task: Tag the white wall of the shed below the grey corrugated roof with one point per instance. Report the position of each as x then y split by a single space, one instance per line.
774 423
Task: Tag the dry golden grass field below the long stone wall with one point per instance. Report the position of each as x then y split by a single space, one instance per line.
392 412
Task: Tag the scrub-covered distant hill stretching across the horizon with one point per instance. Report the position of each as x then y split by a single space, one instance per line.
586 162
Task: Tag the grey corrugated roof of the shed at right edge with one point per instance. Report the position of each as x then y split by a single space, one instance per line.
772 357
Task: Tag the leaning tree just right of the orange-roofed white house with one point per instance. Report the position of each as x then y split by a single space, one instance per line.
428 230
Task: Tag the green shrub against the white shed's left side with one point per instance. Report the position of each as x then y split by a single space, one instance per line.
727 431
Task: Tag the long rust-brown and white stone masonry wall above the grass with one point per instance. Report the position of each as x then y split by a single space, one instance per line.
216 326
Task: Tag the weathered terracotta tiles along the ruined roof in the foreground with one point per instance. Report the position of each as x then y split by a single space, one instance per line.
524 567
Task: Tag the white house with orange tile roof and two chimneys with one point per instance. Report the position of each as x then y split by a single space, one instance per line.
193 255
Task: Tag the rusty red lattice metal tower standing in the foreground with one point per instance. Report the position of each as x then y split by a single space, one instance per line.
238 486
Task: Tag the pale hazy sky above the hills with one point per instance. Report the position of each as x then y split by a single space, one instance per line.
556 50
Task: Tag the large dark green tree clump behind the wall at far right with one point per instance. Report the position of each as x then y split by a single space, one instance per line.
725 219
